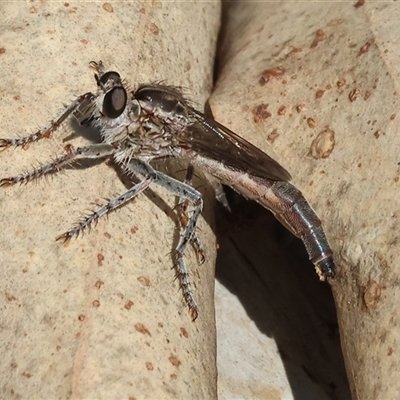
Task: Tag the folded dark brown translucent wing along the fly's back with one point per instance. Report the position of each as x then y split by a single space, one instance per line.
213 140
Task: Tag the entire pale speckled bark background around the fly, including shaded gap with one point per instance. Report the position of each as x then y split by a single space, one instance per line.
313 84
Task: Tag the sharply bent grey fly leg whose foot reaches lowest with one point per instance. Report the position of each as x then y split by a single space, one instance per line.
186 192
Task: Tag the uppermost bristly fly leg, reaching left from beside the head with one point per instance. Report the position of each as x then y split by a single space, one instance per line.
48 130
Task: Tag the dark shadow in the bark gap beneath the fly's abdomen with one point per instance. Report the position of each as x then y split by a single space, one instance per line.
268 269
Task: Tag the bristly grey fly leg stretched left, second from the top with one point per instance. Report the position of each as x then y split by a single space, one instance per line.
92 151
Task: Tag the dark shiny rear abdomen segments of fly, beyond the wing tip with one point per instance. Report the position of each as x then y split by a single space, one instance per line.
298 216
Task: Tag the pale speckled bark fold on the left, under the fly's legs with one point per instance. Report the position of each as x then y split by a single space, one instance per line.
103 316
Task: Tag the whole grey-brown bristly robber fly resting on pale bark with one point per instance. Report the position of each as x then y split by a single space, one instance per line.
156 121
